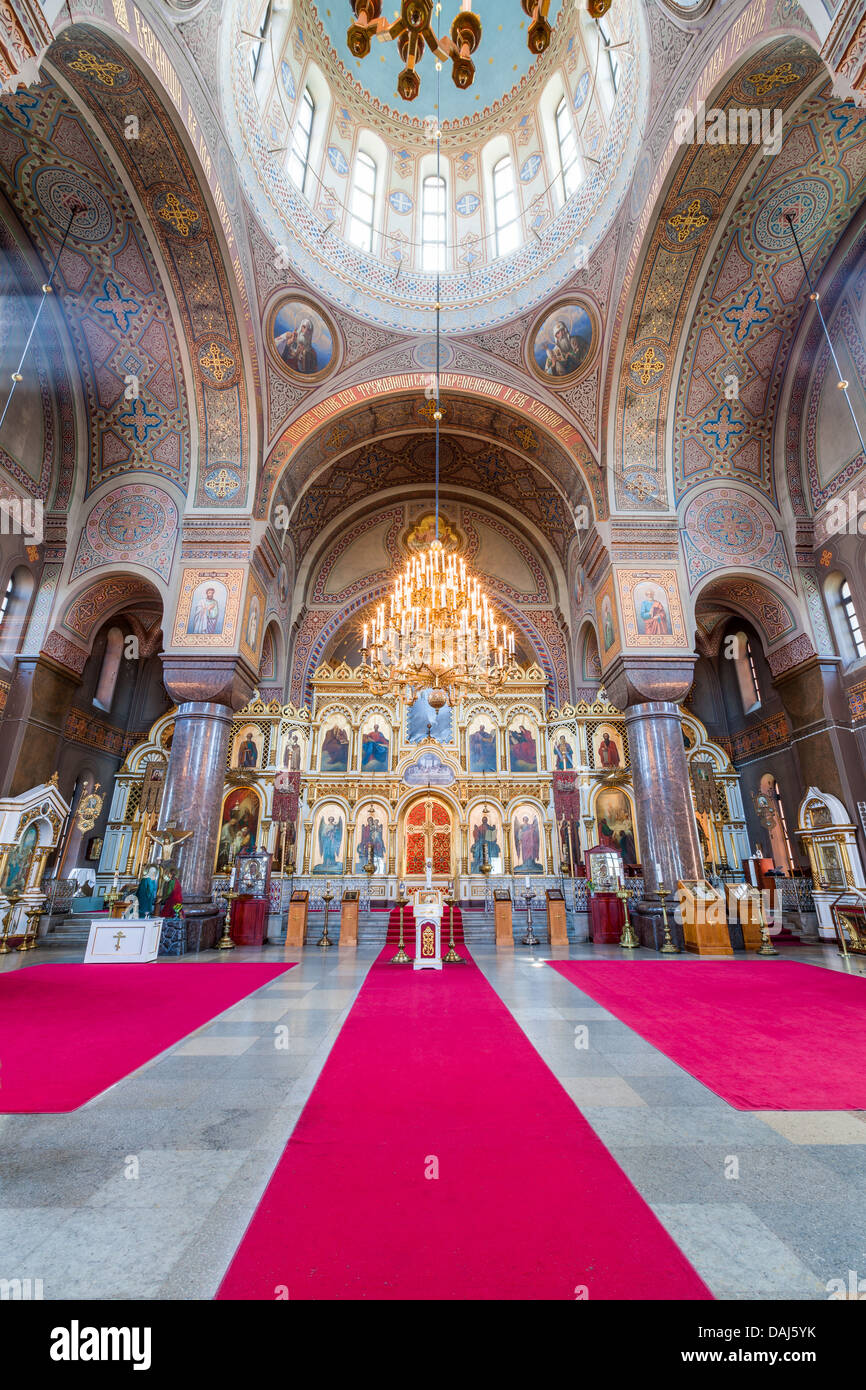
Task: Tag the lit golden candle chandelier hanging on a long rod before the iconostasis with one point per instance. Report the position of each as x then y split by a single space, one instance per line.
437 632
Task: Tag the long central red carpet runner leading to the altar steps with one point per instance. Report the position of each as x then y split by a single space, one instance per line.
430 1068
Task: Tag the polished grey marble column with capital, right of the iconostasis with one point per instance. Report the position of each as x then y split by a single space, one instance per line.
648 692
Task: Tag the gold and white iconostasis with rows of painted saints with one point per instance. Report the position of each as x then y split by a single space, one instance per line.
386 785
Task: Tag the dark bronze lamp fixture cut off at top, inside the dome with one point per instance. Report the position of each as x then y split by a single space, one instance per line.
414 33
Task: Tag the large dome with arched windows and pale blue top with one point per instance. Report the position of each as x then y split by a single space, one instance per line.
347 174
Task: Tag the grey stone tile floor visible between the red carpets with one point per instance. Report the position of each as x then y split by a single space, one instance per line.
147 1192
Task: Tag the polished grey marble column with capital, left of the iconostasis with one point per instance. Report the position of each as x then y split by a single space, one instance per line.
208 697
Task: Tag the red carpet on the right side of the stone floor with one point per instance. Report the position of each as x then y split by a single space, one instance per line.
762 1035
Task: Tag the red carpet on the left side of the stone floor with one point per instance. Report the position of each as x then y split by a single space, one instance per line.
69 1032
